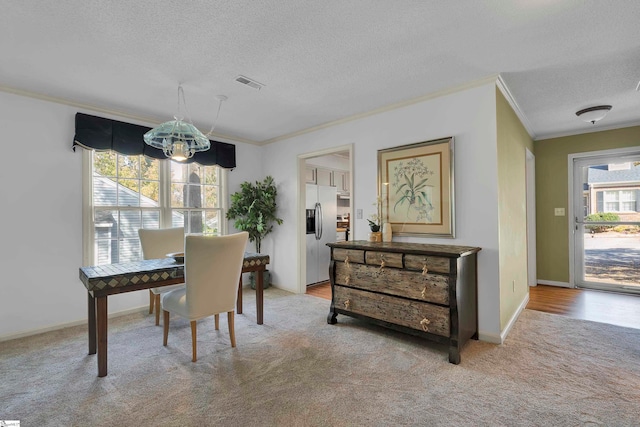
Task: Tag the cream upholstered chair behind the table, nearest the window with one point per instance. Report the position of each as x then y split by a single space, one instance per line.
157 243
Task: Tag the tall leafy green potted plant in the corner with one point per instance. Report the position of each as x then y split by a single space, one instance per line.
253 210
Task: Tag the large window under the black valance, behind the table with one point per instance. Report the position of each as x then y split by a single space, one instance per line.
132 192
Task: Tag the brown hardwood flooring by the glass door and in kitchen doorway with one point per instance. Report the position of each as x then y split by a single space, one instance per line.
586 304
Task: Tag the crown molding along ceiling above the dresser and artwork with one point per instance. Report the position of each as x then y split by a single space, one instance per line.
444 92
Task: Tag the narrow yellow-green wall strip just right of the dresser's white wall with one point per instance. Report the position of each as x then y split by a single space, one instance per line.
512 140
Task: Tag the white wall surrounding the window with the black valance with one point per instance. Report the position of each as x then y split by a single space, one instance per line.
41 196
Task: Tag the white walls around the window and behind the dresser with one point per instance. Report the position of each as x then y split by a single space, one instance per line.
42 203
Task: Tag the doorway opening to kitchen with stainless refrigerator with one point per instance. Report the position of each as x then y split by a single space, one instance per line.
325 188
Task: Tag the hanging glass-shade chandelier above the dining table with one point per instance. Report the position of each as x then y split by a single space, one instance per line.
178 139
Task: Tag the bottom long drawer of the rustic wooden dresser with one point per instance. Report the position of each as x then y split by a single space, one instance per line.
417 315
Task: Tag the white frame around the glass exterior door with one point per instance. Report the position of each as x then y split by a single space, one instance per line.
572 158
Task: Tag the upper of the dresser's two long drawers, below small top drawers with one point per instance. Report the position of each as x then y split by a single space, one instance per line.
410 284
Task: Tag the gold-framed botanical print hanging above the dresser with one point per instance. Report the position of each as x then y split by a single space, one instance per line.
415 186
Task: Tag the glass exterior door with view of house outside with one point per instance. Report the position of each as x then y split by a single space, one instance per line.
605 220
